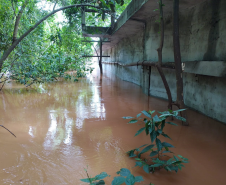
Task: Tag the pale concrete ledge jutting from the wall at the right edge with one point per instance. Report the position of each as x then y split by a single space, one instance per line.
209 68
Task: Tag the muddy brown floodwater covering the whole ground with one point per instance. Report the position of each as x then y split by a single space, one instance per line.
64 127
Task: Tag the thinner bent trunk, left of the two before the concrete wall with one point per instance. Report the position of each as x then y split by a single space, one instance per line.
159 65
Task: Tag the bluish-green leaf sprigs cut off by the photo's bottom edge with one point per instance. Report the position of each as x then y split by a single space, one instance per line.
125 177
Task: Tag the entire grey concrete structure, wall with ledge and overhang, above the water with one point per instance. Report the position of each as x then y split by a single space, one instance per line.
135 38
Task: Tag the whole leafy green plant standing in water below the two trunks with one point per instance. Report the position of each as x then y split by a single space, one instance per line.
154 126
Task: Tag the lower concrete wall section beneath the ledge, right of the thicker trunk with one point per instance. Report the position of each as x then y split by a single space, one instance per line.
206 94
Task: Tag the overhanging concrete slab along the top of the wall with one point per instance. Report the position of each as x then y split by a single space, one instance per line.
132 19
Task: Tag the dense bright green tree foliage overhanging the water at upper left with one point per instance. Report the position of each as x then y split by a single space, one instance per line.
54 47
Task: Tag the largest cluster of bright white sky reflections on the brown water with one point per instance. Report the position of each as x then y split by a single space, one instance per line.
85 105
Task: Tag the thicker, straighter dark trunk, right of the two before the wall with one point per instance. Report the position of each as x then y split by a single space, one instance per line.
177 58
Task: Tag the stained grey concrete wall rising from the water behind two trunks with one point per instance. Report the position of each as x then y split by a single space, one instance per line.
202 34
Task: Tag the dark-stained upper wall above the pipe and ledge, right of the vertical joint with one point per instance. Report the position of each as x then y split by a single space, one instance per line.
202 34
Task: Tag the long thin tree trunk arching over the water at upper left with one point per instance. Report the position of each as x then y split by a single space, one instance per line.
17 41
